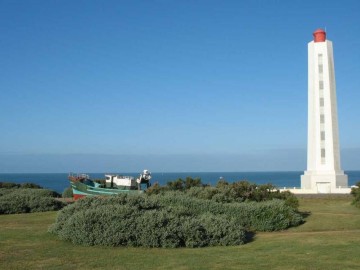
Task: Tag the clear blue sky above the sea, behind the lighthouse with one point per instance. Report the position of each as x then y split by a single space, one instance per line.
168 85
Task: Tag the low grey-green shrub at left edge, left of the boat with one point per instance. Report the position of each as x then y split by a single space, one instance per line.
27 200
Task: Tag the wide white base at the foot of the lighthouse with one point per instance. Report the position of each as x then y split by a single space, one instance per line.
324 182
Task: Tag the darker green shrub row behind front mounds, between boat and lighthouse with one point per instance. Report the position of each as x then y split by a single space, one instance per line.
225 192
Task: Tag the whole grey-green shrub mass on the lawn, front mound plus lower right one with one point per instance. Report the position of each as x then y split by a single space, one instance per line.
173 219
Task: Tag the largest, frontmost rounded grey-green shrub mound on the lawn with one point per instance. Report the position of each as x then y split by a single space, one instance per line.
128 220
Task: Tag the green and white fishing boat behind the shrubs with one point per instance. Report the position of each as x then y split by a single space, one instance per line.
114 184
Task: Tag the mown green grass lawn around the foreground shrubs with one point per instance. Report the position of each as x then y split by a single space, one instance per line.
330 239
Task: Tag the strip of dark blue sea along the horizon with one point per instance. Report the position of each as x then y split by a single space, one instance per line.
58 181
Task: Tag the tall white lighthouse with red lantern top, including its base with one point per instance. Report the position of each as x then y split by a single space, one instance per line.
323 174
